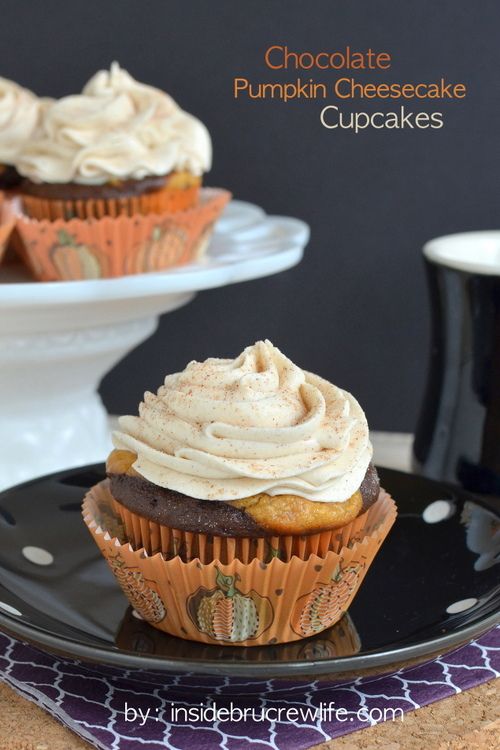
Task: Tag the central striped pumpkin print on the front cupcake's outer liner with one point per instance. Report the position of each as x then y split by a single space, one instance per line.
225 614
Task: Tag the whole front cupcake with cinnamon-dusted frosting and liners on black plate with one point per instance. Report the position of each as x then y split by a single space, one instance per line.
241 505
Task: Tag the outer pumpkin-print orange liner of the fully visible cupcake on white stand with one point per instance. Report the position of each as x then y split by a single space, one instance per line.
109 247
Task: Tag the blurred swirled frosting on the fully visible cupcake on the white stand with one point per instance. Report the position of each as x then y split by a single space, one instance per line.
116 129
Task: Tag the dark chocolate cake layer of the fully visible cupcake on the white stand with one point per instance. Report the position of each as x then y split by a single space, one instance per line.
67 191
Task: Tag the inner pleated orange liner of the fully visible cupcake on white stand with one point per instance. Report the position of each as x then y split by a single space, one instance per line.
166 200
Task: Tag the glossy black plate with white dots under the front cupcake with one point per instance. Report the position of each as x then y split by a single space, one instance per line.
73 605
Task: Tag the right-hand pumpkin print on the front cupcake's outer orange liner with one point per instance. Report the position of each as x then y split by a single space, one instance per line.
327 603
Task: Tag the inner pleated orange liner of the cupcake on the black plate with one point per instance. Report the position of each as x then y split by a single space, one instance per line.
154 537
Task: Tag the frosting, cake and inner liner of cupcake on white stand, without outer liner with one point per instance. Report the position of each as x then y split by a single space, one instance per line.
120 147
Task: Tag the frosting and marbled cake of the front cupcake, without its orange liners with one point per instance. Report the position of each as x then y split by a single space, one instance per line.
249 448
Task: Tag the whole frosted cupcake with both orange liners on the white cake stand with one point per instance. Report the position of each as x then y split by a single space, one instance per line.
112 184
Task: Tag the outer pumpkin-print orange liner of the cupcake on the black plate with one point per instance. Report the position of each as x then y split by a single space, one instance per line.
236 603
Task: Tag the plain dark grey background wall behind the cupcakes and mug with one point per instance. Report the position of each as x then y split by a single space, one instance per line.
355 310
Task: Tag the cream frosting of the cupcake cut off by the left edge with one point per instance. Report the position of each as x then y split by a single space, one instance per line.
20 112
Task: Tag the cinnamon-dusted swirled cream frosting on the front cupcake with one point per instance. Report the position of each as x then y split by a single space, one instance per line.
226 429
